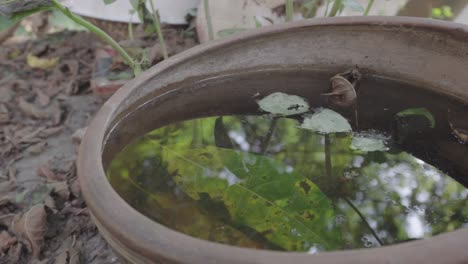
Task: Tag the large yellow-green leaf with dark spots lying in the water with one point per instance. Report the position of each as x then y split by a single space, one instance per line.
258 192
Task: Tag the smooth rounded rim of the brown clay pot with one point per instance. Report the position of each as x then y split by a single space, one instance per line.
146 236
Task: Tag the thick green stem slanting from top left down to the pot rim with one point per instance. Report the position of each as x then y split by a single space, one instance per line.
101 34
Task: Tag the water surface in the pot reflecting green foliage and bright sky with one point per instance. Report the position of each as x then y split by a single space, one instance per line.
194 176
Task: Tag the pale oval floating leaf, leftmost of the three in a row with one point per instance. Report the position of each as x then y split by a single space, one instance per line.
283 104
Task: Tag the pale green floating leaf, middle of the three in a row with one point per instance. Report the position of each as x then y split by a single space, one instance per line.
326 121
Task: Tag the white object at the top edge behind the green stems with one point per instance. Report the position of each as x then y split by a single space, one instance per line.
170 11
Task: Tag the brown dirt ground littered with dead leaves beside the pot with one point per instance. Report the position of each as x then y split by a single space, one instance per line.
43 110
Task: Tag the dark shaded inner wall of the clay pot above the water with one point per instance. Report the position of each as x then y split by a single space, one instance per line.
379 99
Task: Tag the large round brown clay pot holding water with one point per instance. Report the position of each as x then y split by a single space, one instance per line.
427 53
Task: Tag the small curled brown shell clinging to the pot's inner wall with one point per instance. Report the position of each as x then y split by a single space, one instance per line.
342 92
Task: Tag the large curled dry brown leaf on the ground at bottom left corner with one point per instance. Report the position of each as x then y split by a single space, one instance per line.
32 227
